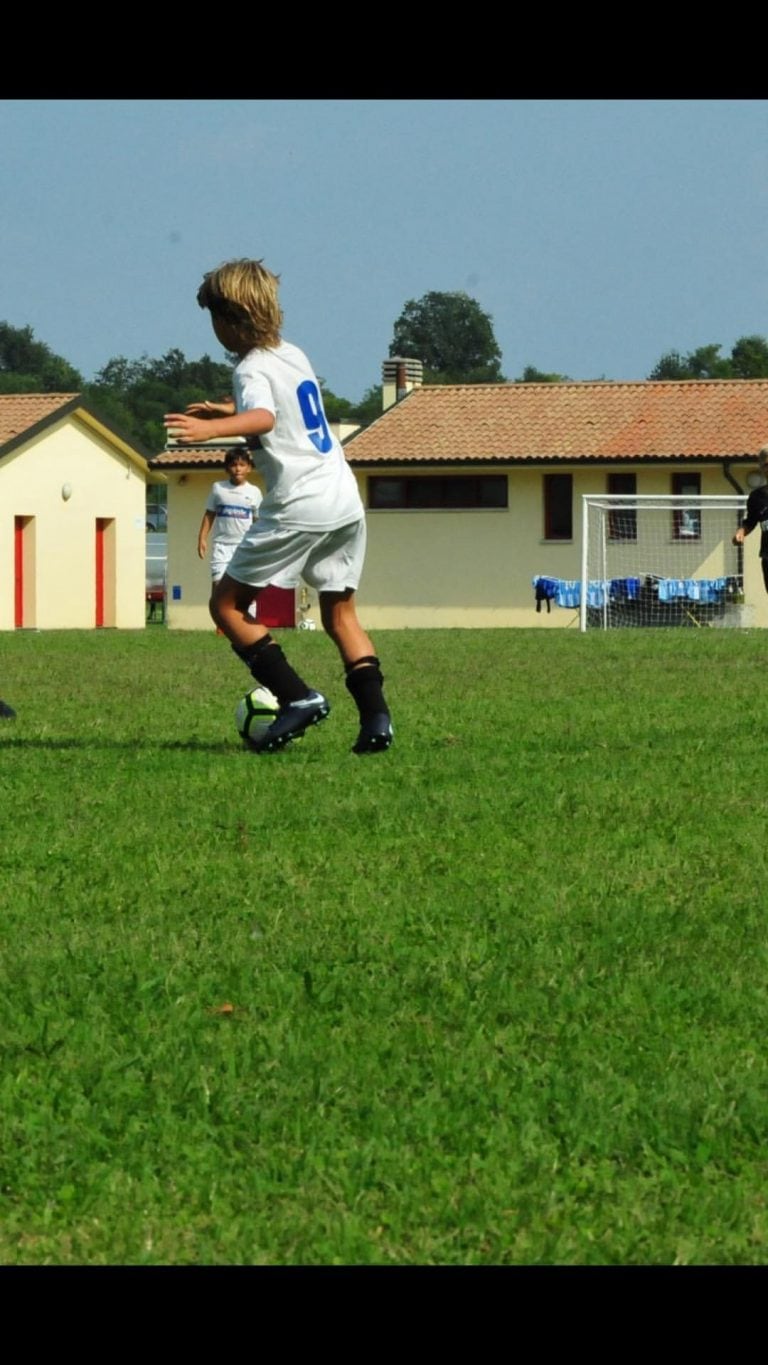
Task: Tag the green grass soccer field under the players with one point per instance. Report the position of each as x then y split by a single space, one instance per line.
497 997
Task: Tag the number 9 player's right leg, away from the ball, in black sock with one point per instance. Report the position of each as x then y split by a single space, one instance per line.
339 615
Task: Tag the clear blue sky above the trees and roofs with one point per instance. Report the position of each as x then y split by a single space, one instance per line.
598 234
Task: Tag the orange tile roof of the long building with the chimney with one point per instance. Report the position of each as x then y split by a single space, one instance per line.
587 421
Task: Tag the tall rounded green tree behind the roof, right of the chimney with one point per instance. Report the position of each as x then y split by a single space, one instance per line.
452 336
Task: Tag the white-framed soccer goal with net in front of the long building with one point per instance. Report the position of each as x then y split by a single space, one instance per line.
665 560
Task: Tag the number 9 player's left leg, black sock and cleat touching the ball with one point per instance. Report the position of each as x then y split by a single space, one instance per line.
301 706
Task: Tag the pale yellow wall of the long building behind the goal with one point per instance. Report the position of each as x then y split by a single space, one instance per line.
464 569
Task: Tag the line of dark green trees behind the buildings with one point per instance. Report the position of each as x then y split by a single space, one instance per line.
448 332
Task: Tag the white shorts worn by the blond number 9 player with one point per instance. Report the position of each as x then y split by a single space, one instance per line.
329 562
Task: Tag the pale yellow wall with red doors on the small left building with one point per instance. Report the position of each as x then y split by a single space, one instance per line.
61 570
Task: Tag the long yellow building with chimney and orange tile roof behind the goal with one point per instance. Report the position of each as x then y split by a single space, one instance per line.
473 491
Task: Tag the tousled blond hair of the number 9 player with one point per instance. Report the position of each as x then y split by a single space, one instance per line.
243 294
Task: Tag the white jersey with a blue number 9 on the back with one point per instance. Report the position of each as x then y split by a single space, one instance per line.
309 484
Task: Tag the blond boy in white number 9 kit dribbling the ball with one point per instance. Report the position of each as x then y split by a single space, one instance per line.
312 522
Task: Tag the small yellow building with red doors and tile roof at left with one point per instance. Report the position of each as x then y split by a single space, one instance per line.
73 517
